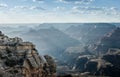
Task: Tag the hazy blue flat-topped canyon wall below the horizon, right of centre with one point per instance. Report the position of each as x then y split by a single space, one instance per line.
89 33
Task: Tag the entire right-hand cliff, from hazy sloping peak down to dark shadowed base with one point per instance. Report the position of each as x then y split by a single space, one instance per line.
107 60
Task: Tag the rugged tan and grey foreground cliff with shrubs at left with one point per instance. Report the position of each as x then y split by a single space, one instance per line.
21 59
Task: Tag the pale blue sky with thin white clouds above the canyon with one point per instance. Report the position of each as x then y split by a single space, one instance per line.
40 11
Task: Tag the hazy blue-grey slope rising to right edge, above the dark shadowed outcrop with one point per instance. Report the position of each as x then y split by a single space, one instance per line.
109 41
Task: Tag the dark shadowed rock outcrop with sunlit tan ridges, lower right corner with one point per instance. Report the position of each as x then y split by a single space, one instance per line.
107 64
